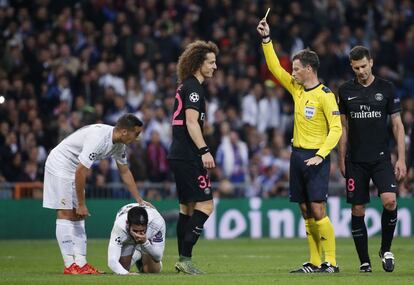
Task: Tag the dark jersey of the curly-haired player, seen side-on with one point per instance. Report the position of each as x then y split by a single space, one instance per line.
189 95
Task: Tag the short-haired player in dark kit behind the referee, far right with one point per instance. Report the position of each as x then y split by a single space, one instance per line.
365 103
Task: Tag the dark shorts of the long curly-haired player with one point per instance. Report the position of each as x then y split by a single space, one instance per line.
192 181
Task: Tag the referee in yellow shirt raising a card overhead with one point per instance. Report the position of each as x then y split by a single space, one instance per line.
317 129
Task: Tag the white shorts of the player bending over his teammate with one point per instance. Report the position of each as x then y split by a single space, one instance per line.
59 193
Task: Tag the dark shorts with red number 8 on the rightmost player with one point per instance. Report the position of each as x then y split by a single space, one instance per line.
358 175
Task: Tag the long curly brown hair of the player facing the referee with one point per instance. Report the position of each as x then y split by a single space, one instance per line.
193 57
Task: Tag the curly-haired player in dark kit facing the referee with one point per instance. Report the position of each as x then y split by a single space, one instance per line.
189 156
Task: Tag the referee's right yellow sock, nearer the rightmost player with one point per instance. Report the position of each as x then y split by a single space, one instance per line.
327 234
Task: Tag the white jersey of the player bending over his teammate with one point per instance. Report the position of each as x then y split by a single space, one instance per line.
90 143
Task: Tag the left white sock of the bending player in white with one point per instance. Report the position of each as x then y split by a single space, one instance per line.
64 236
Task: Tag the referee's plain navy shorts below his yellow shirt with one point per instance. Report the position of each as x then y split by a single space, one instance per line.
308 183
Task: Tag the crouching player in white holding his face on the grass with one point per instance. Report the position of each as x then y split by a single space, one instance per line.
137 237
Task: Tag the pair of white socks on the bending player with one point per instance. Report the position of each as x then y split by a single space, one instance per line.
71 237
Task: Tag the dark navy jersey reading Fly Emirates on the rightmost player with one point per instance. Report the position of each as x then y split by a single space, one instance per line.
367 110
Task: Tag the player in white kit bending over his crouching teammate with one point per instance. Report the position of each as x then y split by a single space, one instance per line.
64 182
